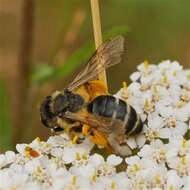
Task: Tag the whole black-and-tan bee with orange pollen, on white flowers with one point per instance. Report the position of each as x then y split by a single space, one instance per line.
85 108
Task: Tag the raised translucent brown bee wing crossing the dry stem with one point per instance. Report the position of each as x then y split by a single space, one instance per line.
107 55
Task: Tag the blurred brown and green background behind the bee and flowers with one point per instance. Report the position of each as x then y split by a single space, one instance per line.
43 44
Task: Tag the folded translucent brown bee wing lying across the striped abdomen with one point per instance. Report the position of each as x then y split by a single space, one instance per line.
103 124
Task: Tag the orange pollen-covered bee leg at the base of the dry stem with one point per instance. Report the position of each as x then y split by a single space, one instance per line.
96 88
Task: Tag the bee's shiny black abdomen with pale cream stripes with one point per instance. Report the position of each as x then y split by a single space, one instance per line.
115 108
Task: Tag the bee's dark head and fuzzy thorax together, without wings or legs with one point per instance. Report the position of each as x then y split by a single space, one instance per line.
53 108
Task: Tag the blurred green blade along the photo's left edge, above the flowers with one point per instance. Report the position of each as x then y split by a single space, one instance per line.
5 123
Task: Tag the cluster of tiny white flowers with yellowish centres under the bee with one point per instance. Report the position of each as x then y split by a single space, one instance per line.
160 155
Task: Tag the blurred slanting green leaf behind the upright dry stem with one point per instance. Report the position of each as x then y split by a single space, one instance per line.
43 73
